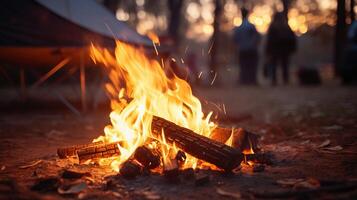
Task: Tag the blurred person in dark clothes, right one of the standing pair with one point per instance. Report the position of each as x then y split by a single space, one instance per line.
280 45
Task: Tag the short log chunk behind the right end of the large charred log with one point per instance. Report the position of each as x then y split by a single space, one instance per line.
242 139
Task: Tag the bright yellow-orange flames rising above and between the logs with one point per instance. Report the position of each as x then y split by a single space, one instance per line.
140 88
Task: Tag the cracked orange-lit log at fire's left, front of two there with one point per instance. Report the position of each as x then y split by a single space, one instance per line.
98 151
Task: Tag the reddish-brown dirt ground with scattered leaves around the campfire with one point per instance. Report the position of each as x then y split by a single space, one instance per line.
311 132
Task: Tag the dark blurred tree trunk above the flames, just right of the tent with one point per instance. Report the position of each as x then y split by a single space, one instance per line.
175 7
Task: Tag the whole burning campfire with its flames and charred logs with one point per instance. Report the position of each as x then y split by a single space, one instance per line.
157 123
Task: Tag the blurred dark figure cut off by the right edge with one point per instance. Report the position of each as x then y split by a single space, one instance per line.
349 68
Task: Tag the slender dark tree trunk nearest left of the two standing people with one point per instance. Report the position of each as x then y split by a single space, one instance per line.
214 44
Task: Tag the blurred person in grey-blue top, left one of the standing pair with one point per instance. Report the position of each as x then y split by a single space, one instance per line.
247 39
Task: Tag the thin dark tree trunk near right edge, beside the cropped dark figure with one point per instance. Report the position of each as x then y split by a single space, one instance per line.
340 34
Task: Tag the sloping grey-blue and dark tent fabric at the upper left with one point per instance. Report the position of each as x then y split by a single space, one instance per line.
62 23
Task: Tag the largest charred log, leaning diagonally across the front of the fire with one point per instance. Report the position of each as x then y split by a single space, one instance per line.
201 147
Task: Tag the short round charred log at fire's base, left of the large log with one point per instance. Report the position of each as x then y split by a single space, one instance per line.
147 157
